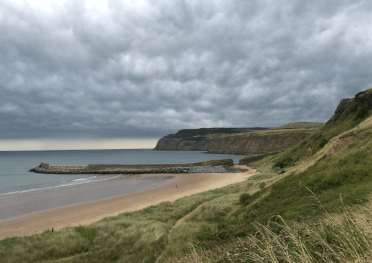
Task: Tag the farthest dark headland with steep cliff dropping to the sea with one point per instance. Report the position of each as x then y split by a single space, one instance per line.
195 139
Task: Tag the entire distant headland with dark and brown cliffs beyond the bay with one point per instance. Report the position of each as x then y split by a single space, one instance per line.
244 141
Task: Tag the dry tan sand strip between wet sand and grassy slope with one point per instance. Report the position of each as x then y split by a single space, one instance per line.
88 212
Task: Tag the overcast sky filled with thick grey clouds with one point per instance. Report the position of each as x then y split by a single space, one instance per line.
107 70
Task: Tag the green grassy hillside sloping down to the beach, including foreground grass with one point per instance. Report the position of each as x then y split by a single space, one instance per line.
309 203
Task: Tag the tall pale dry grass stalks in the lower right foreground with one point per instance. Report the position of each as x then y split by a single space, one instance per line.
344 237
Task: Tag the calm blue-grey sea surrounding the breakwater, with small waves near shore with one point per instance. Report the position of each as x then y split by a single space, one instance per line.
14 166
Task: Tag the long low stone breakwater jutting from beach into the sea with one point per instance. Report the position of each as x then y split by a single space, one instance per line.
173 170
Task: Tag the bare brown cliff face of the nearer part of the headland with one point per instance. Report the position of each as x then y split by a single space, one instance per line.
255 144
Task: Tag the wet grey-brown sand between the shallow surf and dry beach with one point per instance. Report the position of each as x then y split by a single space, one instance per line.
21 204
